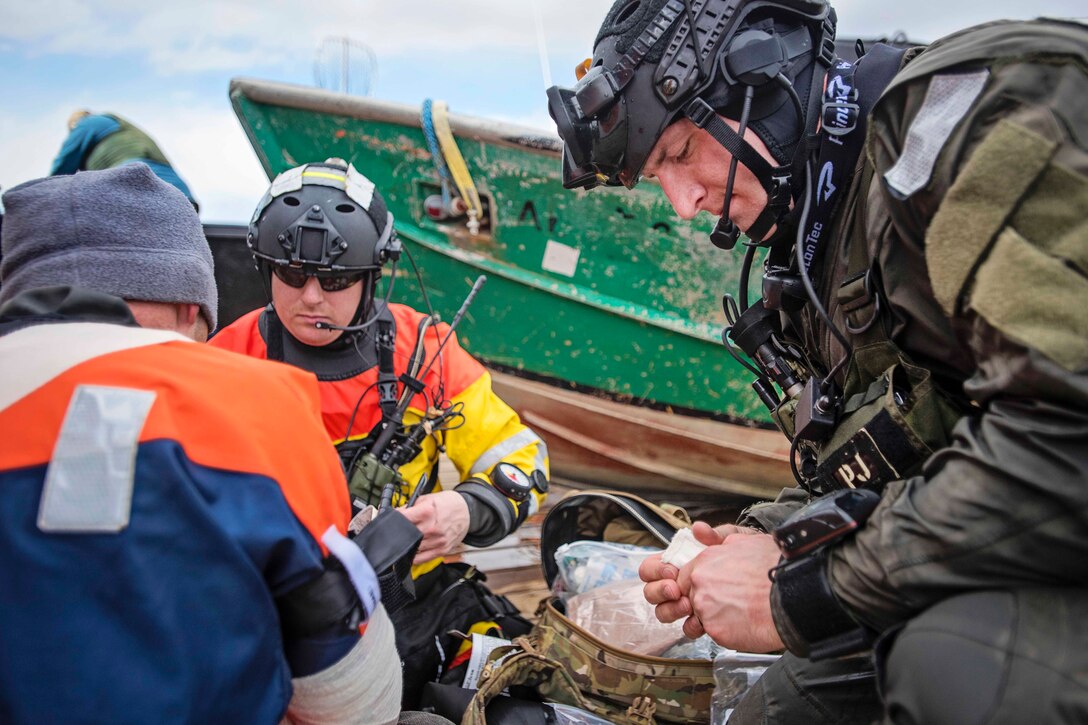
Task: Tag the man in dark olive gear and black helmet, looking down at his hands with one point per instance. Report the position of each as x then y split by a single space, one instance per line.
922 338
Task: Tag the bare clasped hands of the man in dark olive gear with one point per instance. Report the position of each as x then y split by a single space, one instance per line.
724 593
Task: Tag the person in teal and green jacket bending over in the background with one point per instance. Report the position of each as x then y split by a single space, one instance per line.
104 141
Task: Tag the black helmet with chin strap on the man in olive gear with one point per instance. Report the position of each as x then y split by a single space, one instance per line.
759 63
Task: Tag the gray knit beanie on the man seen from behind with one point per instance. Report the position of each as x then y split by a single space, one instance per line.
122 231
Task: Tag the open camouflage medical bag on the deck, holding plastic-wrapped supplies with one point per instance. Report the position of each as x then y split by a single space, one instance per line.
562 662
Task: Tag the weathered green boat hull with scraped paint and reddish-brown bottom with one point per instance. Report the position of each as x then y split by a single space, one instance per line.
605 292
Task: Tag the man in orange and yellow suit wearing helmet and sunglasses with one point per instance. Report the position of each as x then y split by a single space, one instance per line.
320 238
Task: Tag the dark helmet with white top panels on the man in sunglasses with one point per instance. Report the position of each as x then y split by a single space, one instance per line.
325 220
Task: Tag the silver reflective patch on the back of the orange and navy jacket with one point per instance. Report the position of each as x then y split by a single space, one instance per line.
90 482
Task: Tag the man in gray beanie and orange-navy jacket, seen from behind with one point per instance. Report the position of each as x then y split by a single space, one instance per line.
169 556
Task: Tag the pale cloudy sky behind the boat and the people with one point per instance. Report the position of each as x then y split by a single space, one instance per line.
167 66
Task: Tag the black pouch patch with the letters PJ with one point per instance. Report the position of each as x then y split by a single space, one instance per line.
862 463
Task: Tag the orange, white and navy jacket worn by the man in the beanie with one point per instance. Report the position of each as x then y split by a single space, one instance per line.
157 497
